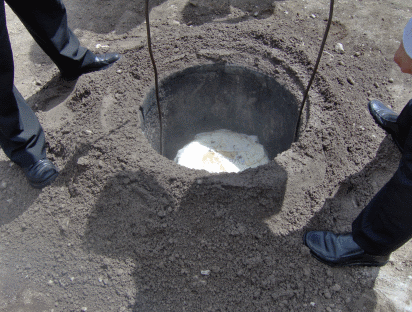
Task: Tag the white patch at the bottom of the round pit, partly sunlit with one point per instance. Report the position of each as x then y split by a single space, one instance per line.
222 151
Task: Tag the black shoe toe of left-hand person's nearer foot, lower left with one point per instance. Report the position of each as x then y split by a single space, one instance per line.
41 173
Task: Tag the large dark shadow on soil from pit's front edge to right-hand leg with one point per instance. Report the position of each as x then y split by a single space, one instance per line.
213 250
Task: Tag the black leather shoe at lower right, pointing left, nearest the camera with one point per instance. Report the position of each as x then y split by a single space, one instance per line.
340 250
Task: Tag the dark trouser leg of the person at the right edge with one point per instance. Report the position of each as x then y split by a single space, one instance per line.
385 223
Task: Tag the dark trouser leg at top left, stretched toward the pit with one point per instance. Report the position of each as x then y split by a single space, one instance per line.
46 20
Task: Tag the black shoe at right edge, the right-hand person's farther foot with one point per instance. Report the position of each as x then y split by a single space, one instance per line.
386 119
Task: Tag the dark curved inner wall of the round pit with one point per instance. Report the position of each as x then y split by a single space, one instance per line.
219 96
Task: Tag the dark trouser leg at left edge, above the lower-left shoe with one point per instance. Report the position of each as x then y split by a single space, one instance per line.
21 135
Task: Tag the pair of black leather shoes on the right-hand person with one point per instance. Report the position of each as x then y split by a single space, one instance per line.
340 249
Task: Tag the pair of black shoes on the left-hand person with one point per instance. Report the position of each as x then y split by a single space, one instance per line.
44 172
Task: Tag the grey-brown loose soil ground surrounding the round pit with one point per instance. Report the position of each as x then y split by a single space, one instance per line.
125 229
